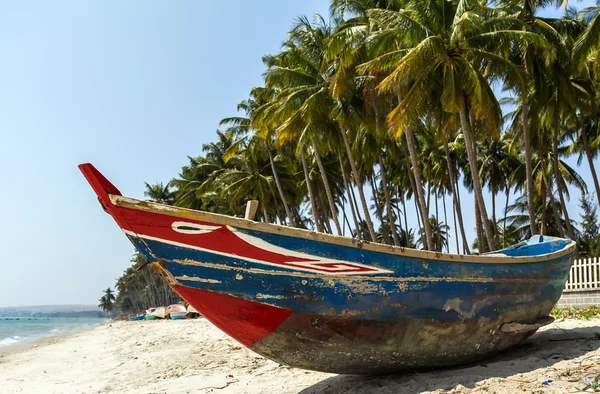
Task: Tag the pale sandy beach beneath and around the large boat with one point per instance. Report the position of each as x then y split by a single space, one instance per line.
192 356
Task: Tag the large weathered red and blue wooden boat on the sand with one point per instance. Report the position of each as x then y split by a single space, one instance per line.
336 304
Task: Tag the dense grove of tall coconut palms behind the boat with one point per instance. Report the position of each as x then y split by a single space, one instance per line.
388 106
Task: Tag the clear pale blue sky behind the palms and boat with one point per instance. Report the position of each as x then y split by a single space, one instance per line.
133 87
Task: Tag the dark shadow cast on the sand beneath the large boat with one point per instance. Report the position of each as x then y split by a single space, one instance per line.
542 350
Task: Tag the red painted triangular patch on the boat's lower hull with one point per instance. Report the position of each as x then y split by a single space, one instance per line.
245 321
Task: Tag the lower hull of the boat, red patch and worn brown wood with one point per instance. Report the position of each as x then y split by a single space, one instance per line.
352 346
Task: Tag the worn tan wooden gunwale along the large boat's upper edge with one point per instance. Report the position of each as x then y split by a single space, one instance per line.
277 229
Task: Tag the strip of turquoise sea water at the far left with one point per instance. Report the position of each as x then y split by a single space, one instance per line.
17 331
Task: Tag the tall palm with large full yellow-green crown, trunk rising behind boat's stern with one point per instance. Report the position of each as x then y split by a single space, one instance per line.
441 59
